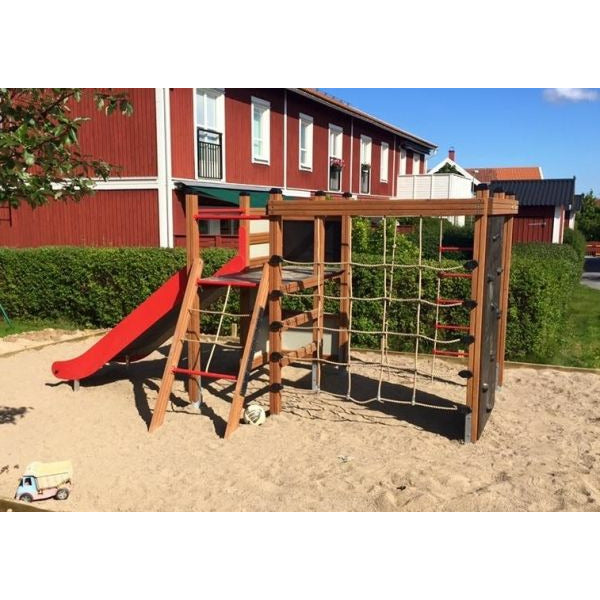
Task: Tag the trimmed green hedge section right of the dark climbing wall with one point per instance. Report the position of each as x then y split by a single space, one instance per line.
542 279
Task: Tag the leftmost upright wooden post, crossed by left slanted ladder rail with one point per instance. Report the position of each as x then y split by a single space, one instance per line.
193 328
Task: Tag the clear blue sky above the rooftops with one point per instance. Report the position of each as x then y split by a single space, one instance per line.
557 129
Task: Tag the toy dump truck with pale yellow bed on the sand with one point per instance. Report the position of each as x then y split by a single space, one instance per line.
45 480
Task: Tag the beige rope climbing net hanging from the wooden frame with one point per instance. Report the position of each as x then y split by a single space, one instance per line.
442 345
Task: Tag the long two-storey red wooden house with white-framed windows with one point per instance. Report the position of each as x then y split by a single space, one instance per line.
224 140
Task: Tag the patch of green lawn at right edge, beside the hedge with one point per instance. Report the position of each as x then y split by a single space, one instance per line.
581 347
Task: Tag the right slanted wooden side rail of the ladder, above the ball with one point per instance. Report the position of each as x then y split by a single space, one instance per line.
237 404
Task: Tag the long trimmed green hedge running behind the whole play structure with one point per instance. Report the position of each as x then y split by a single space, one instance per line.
96 287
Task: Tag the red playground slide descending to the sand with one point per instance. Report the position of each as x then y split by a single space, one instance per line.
141 332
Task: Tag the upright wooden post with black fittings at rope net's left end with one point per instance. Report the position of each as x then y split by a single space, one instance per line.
275 334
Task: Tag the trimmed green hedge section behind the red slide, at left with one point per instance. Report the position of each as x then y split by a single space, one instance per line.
91 287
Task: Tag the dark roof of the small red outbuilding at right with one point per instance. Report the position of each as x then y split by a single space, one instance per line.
538 192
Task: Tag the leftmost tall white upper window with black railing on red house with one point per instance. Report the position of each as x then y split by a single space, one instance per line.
210 109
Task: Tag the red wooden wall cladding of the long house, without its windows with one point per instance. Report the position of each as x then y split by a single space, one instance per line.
156 147
